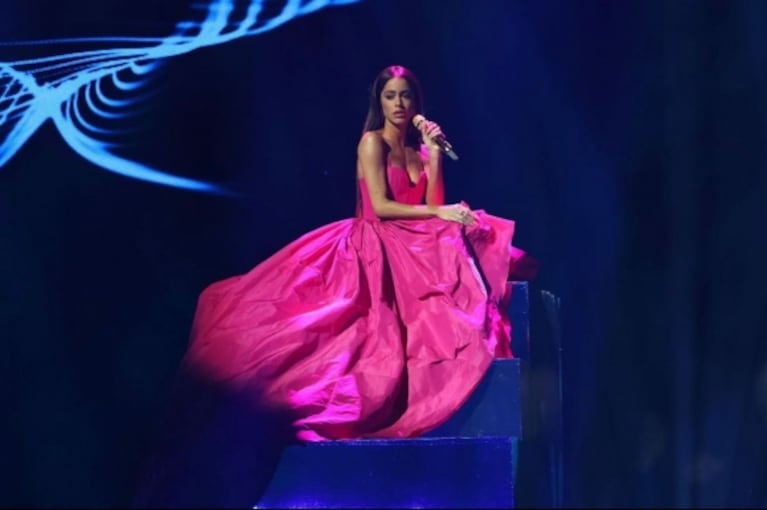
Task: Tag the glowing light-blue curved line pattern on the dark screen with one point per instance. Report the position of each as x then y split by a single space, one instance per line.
87 93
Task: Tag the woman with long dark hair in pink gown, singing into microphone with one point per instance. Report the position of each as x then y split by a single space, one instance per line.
376 326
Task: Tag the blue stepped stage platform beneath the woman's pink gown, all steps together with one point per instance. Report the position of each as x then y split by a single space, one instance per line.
468 462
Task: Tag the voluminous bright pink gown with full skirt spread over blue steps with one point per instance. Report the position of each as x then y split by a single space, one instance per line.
363 327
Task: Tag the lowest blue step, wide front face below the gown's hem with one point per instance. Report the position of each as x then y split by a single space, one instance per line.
396 473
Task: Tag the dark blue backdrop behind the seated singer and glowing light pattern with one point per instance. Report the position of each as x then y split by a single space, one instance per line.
626 139
